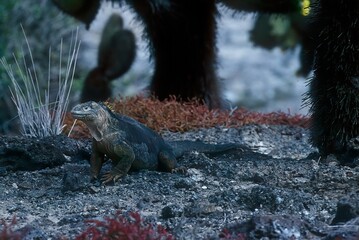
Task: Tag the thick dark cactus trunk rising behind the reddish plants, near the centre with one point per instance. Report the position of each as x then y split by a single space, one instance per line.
182 38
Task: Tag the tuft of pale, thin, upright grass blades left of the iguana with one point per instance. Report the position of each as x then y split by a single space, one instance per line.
38 116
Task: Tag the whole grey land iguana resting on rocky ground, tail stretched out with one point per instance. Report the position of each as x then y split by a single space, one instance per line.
131 145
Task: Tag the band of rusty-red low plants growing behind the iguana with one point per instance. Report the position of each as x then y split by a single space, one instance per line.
177 116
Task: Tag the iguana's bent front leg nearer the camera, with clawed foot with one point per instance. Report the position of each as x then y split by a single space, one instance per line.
122 159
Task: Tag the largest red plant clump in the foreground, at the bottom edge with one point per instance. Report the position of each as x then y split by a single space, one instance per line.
124 228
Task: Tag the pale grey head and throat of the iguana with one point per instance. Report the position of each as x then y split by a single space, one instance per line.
94 115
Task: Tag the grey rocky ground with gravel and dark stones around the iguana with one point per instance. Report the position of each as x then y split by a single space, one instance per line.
273 188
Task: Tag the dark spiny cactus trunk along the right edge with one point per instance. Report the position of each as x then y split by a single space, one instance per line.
334 89
